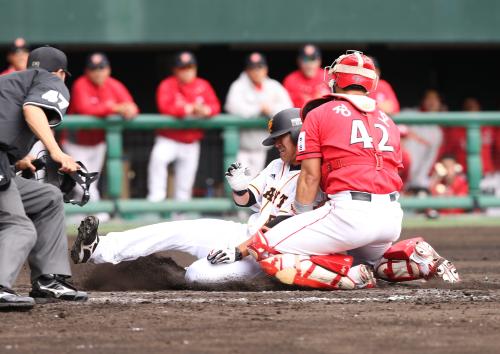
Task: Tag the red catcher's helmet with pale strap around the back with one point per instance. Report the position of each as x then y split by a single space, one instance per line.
353 68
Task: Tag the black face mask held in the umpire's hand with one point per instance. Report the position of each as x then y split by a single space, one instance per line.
66 182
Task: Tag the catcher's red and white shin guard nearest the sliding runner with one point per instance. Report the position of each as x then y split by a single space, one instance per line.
299 270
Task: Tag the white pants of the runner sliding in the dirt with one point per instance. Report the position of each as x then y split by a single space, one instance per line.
196 237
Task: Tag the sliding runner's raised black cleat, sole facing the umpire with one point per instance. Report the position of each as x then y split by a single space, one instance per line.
86 241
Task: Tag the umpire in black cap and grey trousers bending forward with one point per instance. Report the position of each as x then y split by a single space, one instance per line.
32 214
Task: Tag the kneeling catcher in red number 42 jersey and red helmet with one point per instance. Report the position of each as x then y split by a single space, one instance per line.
350 149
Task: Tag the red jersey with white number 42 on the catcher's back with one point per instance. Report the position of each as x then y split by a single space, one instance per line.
359 145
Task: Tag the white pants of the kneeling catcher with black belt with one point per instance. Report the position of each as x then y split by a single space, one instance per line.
364 229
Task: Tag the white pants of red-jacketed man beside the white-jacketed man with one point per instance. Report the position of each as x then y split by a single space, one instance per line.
186 158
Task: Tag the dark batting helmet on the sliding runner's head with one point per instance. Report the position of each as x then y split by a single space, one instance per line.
285 121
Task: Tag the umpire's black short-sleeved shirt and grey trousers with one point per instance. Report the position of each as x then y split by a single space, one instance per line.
31 213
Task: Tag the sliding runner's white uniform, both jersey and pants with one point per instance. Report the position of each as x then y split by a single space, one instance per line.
274 191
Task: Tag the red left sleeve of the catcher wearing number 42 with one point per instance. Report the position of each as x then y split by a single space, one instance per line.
308 146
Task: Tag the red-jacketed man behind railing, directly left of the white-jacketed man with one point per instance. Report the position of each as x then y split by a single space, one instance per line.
183 95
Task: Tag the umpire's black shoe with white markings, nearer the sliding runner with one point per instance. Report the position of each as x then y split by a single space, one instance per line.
49 287
